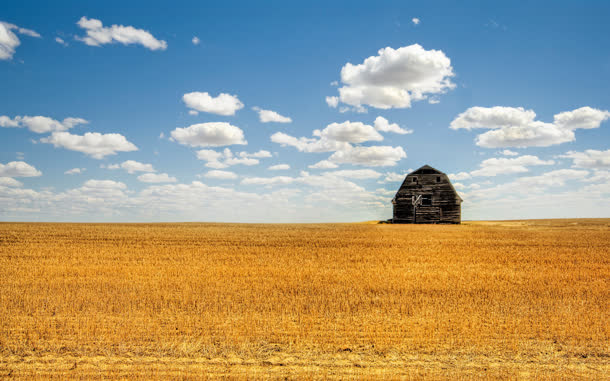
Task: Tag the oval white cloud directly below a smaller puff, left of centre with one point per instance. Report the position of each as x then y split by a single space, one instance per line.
212 134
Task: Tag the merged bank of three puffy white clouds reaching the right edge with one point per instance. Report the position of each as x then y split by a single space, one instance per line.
517 127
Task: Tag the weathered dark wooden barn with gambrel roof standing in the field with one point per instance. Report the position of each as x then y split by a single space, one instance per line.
426 196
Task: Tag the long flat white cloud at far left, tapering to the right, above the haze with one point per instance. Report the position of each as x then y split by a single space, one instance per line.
93 144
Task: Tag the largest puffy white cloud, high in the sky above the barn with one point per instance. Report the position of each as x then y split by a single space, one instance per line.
396 77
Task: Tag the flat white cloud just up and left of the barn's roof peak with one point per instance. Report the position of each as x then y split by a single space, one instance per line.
375 156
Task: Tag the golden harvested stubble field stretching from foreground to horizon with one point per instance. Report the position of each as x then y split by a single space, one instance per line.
524 299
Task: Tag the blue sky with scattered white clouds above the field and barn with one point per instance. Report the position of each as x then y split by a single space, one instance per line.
301 111
